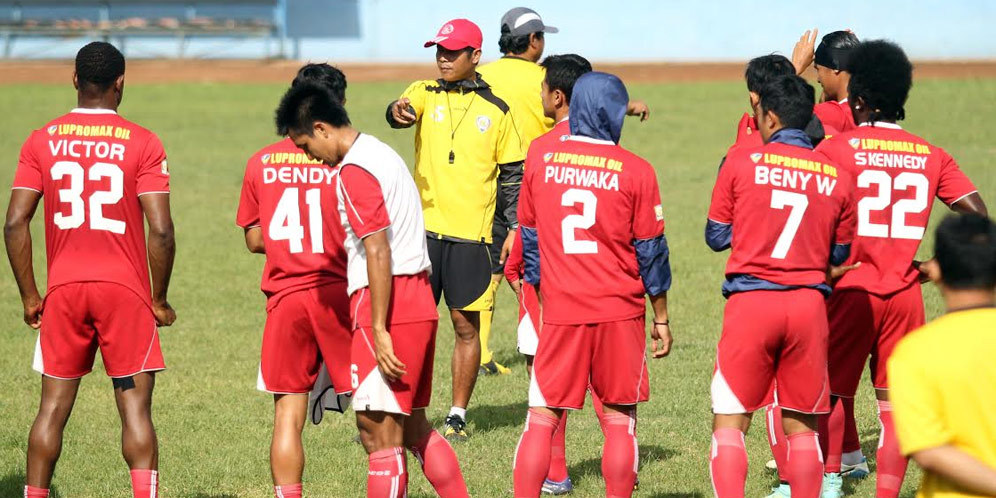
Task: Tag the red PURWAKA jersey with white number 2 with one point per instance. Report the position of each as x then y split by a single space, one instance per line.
589 200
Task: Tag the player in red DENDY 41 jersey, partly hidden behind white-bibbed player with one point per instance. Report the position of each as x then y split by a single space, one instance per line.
288 213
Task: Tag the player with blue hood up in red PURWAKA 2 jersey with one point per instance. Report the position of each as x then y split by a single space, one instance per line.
591 219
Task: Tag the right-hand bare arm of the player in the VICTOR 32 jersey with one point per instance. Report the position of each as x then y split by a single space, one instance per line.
162 250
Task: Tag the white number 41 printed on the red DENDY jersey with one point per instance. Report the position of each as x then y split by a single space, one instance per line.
286 221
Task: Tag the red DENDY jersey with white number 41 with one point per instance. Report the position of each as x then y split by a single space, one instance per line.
293 200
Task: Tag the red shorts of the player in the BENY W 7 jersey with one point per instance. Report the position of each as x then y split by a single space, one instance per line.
772 338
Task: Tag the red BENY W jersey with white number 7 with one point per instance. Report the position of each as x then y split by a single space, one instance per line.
788 205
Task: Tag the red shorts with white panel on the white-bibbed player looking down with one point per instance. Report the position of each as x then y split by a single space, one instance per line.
415 346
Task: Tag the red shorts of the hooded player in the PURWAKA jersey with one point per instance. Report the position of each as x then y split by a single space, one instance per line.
611 356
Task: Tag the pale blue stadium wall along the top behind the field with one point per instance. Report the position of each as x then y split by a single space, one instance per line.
626 30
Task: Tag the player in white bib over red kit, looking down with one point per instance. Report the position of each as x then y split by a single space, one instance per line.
391 302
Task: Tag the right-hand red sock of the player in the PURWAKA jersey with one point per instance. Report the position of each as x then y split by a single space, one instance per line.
620 457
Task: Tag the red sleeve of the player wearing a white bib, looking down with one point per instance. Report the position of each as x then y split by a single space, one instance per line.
364 201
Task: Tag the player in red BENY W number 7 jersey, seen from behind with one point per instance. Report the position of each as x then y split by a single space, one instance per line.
786 214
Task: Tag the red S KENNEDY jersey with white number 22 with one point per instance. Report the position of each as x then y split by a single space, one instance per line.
898 174
